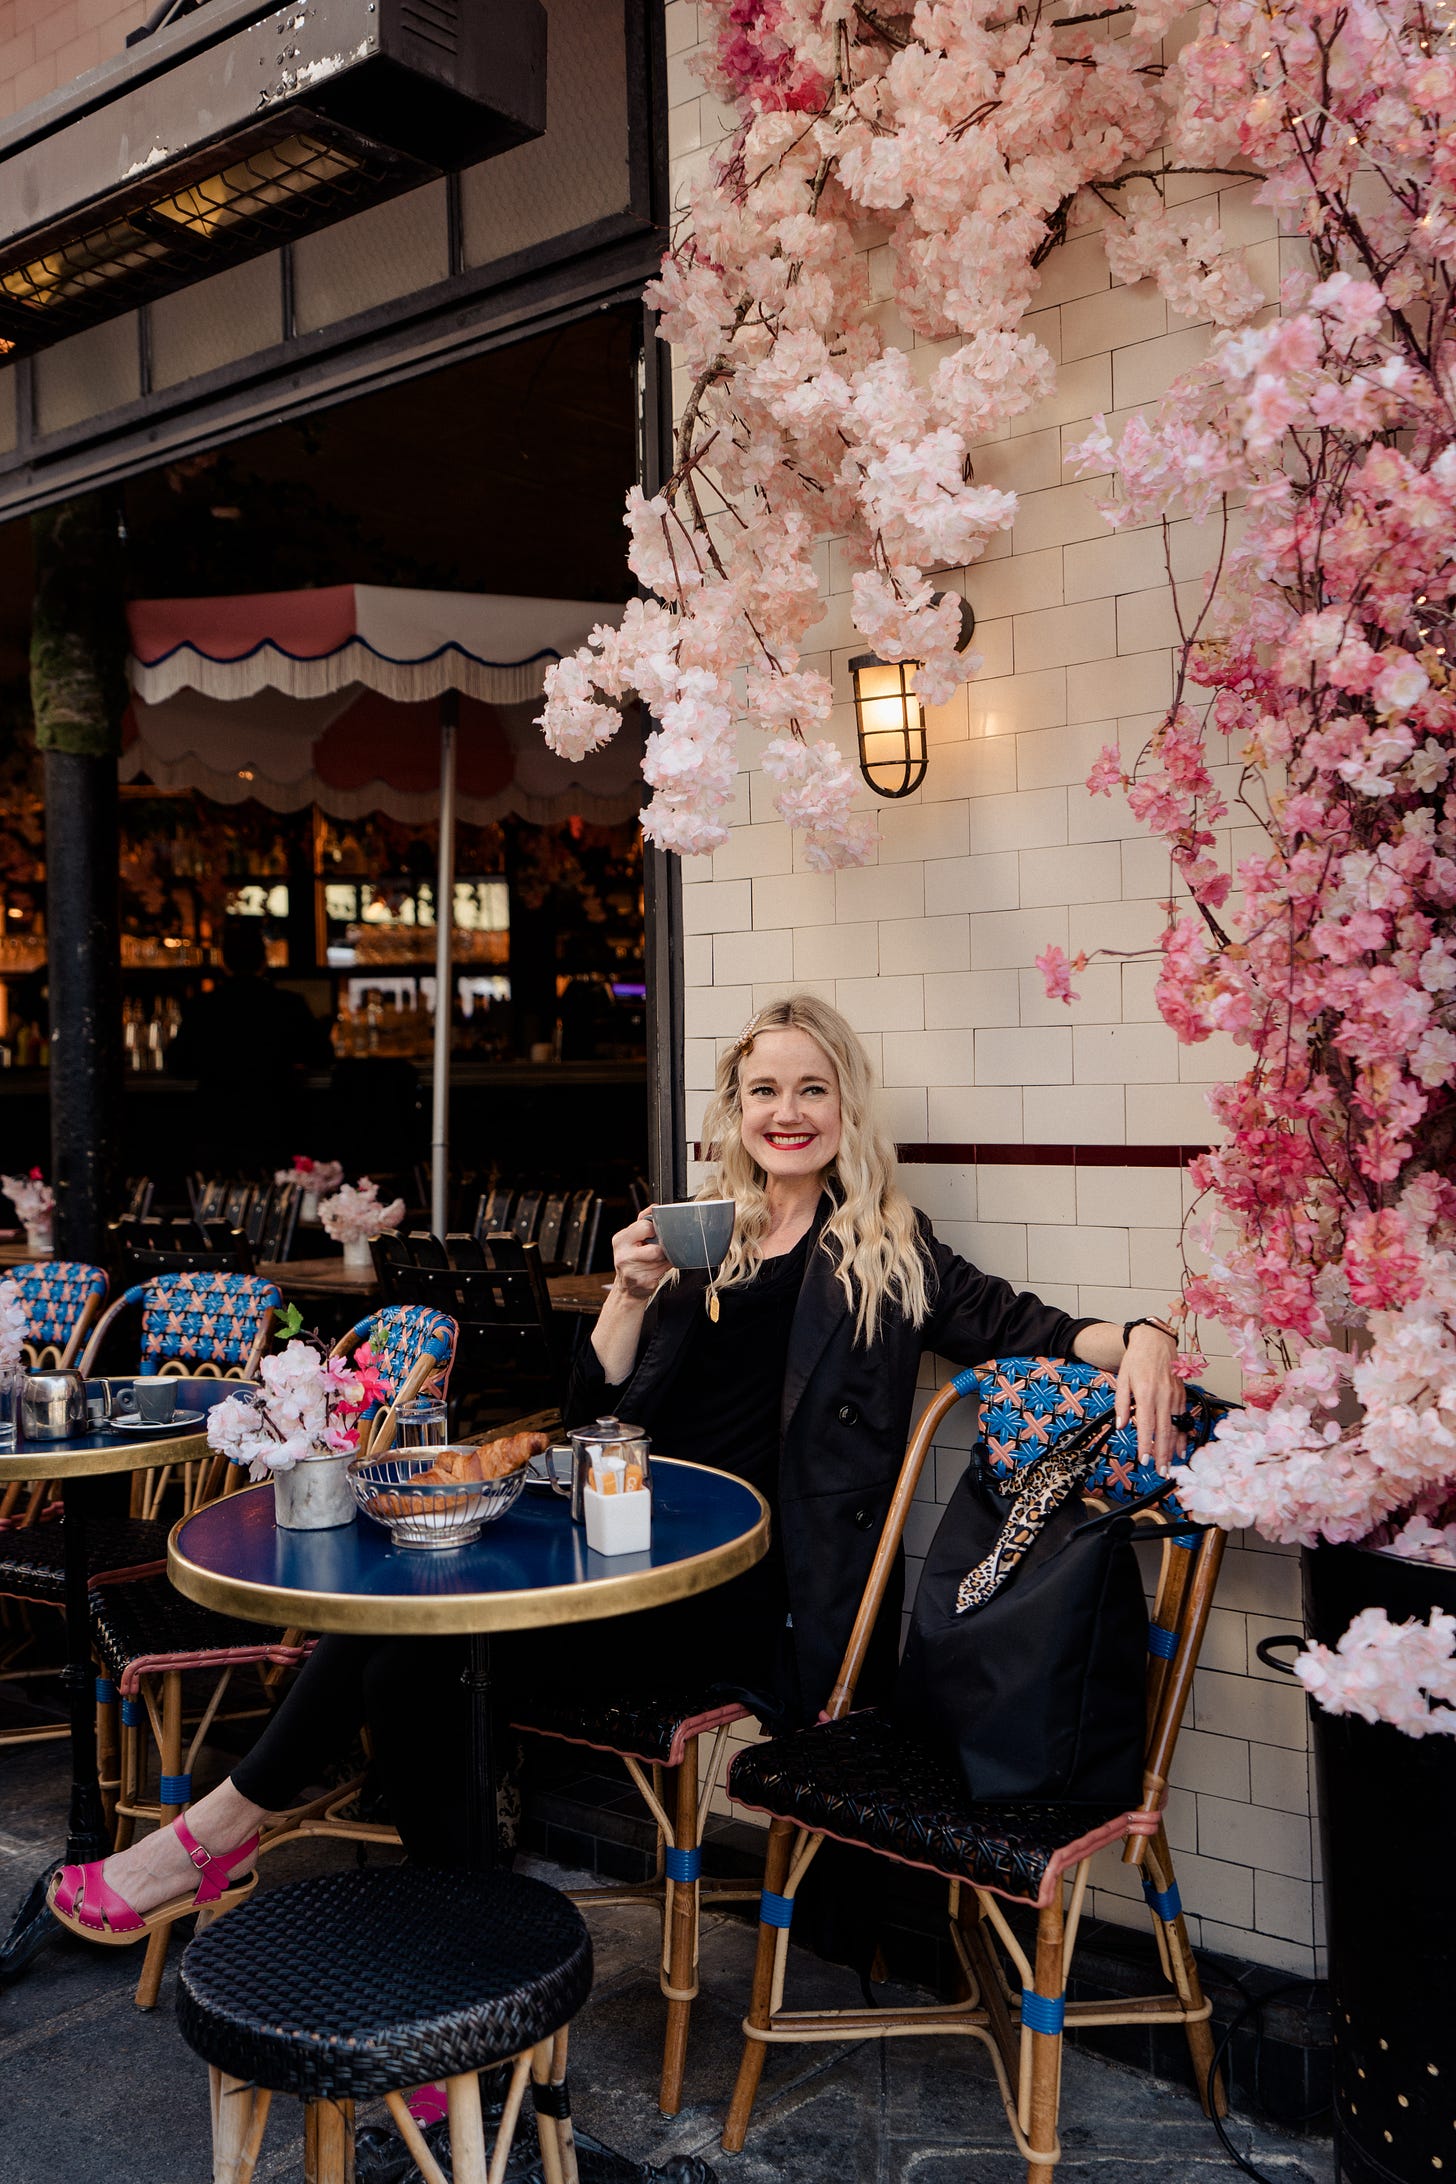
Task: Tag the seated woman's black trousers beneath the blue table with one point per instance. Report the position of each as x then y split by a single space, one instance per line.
411 1696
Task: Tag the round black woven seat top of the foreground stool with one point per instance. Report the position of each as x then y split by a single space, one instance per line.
361 1984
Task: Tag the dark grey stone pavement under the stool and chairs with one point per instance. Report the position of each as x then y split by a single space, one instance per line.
95 2091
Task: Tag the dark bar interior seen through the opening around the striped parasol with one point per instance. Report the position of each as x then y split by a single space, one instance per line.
499 475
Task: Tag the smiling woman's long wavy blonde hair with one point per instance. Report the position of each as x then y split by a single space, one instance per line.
872 1226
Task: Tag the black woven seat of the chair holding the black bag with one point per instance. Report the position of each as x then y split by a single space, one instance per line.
868 1781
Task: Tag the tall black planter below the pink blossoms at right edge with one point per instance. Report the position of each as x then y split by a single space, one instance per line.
1389 1829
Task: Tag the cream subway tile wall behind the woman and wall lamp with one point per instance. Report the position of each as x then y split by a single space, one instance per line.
931 953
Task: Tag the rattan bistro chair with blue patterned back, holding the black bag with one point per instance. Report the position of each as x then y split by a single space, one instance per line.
866 1779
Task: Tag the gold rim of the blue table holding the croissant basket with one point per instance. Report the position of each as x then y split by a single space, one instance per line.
396 1615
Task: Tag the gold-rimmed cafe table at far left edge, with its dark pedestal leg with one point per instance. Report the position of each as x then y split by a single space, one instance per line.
75 1464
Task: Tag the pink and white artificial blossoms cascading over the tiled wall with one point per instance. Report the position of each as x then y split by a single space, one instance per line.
1313 698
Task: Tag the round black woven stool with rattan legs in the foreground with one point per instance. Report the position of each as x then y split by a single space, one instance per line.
377 1982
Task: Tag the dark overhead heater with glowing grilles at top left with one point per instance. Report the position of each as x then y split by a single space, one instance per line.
239 128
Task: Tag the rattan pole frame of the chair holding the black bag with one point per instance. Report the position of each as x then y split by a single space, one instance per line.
986 1947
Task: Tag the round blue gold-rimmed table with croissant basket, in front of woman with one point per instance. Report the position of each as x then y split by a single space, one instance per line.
529 1569
